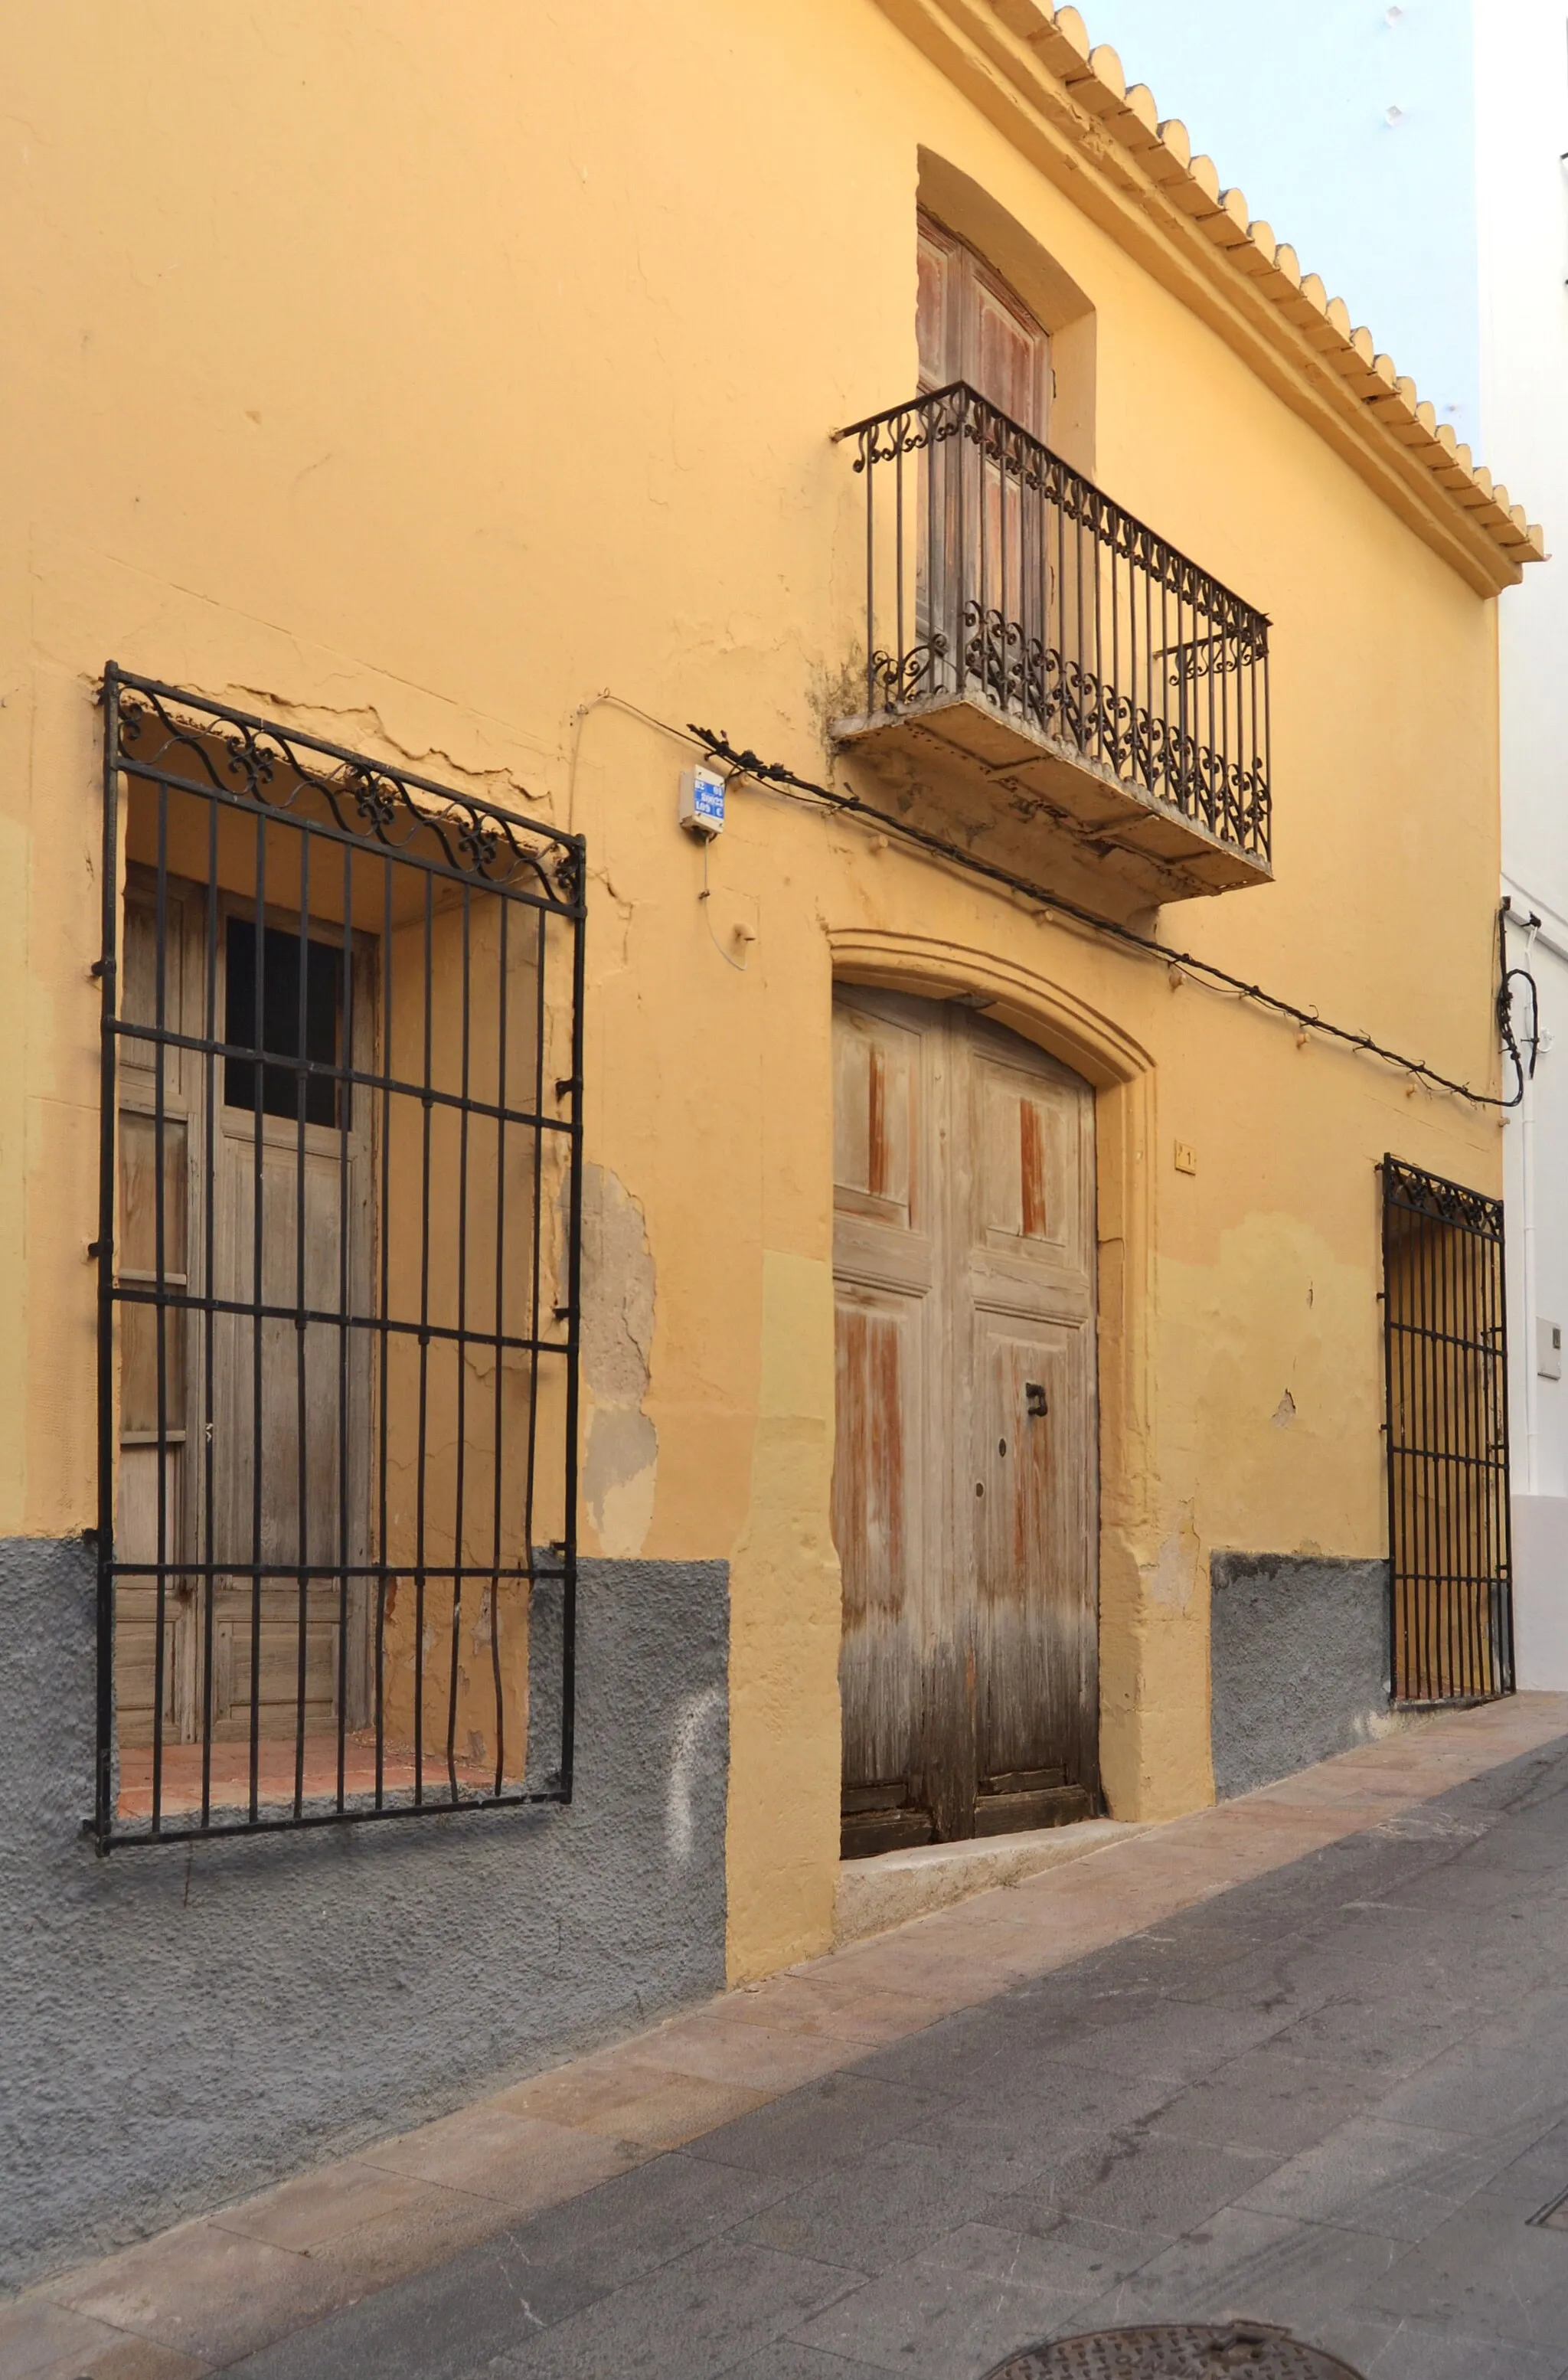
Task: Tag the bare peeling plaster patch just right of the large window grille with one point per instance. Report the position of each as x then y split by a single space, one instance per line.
622 1458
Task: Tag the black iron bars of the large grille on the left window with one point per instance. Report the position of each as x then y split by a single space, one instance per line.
251 775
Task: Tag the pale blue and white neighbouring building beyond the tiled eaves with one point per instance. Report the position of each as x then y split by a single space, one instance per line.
1417 158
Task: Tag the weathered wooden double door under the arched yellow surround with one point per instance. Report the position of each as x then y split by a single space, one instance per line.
965 1489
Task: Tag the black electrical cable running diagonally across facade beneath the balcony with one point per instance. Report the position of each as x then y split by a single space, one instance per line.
1181 963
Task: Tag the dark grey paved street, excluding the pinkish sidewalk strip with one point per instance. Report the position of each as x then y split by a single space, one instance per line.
1334 2098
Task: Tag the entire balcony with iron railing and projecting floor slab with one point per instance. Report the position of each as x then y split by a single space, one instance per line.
1048 677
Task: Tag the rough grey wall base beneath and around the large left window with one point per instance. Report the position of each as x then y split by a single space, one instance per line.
189 2024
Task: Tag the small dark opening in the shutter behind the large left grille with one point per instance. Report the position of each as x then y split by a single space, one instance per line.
301 1015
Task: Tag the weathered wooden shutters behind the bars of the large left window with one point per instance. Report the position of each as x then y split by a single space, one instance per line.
289 1491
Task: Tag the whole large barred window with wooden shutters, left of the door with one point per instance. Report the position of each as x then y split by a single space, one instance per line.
339 1279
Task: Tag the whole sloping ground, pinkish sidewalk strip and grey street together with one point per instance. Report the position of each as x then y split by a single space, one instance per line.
1300 2058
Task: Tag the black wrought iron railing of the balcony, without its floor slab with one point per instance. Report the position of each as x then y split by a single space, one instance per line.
1001 577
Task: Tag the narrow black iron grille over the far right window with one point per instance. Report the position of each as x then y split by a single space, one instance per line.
1445 1365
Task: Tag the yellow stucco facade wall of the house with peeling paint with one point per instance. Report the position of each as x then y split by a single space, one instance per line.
501 444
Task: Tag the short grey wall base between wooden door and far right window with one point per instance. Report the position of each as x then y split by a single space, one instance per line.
1298 1662
